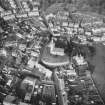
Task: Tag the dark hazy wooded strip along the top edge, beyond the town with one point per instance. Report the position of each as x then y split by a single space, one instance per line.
88 5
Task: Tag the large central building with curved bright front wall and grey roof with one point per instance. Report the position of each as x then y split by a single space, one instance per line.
54 57
